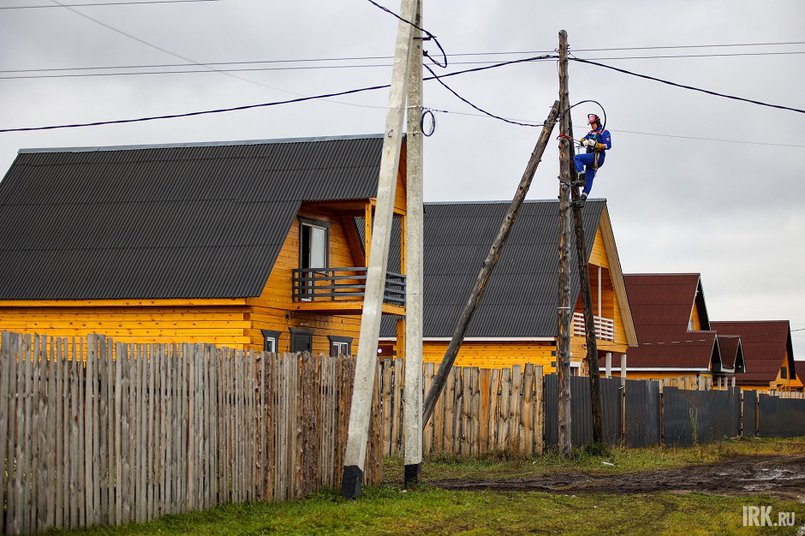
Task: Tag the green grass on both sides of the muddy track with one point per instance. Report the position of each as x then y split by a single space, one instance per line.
388 509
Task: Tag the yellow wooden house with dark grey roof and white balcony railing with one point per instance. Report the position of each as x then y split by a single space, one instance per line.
516 320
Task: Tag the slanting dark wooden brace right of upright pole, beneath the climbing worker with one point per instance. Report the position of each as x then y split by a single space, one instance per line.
584 280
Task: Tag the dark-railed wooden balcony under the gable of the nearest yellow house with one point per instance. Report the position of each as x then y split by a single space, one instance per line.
341 290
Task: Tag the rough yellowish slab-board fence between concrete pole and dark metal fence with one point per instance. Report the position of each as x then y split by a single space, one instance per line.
480 411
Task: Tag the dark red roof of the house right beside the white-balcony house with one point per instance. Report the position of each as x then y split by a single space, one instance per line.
661 307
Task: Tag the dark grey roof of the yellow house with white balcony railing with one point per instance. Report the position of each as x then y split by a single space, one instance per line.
521 296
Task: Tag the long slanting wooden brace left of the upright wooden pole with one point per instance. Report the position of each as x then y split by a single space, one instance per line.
489 265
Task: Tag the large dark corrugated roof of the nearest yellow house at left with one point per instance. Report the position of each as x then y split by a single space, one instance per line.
176 221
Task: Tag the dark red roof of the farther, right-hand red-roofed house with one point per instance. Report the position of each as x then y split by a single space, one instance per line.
765 344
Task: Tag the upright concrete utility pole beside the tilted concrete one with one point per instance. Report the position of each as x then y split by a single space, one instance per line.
412 390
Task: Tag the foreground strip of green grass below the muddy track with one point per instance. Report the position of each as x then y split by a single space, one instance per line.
388 510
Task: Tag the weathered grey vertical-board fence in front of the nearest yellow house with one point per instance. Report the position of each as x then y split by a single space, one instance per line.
93 432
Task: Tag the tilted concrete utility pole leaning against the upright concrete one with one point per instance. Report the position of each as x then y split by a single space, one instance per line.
361 408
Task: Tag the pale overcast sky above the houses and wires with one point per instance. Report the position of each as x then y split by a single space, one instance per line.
694 183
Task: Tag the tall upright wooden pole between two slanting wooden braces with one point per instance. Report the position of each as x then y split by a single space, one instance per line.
563 303
